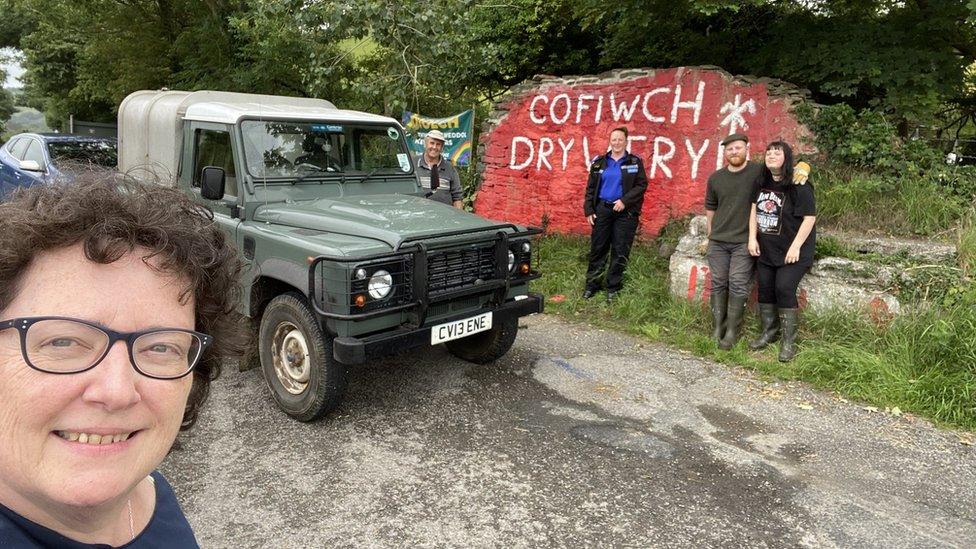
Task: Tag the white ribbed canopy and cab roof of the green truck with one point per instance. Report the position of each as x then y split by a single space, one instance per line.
151 123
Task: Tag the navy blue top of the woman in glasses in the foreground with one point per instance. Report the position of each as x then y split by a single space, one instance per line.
167 528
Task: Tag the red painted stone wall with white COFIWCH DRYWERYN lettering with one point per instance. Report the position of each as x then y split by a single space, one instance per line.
536 151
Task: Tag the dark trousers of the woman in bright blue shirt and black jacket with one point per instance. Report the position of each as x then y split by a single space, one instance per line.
613 234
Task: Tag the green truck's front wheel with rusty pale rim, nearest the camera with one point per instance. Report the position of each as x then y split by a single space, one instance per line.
308 382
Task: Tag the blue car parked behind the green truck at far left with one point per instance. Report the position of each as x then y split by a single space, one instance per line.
31 158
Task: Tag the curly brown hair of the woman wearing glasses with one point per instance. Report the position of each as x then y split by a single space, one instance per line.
110 217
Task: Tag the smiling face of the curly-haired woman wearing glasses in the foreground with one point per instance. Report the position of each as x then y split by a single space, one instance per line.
49 423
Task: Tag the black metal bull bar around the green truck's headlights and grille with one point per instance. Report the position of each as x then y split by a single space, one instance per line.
417 249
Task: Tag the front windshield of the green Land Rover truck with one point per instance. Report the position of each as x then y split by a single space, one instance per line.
295 149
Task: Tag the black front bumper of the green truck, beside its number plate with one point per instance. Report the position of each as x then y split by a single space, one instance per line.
357 350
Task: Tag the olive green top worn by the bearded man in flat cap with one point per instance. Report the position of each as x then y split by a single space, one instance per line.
730 196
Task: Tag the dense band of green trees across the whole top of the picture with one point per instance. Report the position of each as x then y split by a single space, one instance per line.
83 56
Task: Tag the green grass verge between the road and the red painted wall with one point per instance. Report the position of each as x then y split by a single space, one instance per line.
924 361
